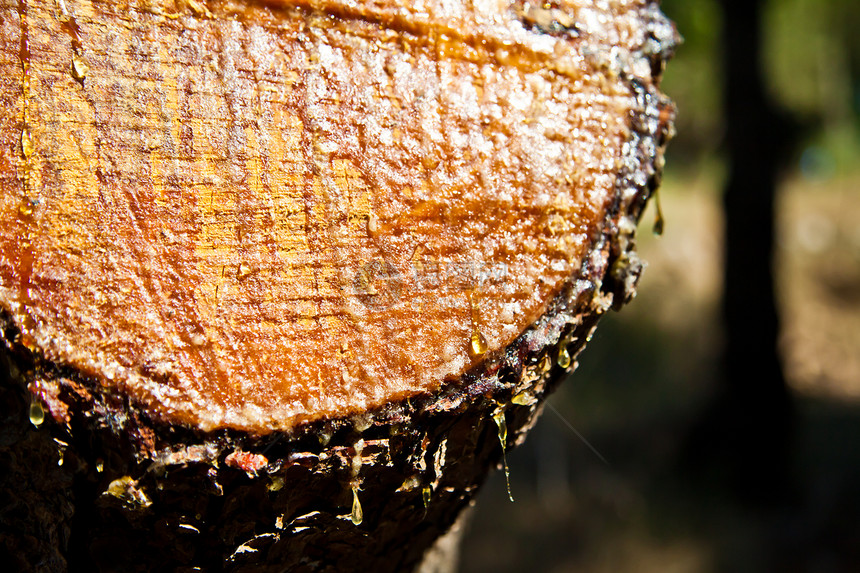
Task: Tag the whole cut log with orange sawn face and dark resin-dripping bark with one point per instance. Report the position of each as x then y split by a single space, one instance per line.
279 281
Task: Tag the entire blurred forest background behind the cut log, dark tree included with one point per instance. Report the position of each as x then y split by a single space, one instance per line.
710 465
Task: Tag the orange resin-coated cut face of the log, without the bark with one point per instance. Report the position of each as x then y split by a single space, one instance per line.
253 215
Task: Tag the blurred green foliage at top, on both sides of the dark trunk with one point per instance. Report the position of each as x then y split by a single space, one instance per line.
811 64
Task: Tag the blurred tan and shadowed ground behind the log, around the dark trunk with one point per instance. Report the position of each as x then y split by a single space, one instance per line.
641 383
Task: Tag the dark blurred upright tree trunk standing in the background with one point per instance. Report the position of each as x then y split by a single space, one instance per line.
746 435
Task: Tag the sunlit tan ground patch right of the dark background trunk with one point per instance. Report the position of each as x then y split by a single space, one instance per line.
819 280
